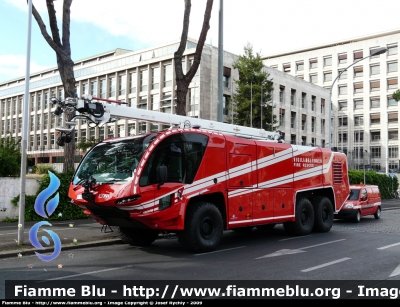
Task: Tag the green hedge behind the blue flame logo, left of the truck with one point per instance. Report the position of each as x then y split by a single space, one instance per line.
64 211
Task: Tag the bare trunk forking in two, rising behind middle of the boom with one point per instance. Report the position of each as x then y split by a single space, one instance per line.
183 80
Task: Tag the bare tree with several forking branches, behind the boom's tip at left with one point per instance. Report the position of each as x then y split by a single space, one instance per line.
65 64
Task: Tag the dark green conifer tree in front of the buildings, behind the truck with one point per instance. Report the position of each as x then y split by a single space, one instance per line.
253 92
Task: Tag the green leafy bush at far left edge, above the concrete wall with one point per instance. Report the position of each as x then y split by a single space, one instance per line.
10 156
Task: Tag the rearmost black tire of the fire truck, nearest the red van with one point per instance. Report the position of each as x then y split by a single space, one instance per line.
323 214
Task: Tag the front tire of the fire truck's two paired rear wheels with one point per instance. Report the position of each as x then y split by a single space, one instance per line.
304 222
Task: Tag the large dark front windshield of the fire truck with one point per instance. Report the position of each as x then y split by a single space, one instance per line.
113 162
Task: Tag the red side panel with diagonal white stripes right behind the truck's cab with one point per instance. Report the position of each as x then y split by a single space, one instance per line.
241 179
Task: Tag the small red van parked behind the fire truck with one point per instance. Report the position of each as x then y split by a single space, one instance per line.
363 200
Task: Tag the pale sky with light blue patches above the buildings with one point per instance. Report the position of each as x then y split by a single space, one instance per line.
271 27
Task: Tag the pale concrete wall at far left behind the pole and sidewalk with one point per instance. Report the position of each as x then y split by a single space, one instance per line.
10 188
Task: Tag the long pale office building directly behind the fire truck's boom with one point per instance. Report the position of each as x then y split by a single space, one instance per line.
146 79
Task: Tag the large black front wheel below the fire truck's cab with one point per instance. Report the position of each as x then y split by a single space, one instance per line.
203 228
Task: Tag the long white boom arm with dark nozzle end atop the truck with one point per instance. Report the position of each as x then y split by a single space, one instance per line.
99 111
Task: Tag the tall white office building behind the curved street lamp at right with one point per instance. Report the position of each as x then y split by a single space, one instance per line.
365 121
